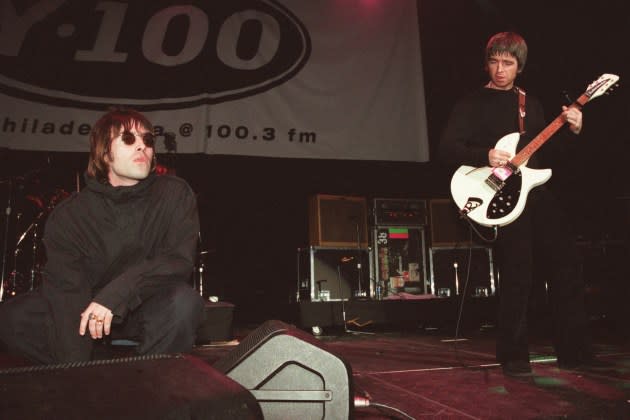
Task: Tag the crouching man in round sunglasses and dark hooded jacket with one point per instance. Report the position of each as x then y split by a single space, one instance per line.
119 257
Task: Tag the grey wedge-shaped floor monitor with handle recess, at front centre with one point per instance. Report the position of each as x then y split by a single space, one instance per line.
290 374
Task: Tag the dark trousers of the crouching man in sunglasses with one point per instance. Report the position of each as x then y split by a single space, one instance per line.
164 323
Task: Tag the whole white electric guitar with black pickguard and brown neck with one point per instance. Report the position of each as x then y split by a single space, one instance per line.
497 196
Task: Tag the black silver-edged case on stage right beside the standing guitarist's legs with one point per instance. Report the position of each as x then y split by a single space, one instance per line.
449 270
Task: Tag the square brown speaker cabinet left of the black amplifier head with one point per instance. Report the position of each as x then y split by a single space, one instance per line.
337 221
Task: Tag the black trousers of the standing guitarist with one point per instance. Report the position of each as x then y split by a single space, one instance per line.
540 238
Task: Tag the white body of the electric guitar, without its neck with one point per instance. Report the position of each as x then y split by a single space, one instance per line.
483 203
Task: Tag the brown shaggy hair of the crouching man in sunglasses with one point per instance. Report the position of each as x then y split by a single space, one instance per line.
107 128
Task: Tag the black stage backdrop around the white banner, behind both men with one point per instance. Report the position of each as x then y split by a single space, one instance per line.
254 210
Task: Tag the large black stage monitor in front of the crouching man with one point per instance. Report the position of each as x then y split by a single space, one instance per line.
143 387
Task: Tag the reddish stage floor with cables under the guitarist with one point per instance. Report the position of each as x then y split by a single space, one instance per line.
425 374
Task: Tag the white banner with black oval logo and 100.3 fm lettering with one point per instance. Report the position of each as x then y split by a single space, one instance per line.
289 78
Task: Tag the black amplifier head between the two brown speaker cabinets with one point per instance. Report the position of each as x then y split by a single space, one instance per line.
401 212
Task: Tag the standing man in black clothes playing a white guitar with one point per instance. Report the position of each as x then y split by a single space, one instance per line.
477 122
